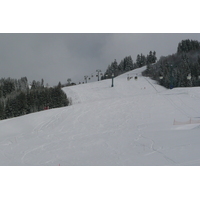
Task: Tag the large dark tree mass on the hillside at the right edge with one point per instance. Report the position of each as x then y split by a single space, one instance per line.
181 69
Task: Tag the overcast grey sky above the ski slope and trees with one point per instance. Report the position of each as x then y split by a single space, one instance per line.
56 57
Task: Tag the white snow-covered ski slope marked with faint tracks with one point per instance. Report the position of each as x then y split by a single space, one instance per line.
136 122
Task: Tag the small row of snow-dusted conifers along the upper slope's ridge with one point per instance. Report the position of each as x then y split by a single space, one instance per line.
127 64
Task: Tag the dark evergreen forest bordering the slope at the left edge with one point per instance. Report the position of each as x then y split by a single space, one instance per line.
18 98
